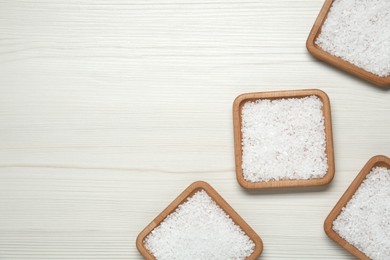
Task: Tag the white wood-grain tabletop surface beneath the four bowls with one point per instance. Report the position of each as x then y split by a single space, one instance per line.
109 109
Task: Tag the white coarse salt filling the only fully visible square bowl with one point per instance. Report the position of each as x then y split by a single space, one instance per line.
283 139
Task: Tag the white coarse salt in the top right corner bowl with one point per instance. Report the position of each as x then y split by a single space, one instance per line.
358 31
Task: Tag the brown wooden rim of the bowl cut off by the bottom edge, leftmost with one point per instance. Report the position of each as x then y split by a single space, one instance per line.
189 192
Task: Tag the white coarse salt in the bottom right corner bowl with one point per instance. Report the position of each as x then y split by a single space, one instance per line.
365 221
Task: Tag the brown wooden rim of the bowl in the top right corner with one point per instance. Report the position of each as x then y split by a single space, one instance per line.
319 53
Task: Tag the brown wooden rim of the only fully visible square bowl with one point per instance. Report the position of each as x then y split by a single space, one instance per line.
237 119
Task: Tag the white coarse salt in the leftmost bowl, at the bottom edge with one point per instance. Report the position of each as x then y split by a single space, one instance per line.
199 229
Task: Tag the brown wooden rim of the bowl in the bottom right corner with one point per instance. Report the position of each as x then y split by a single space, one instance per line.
376 161
